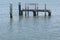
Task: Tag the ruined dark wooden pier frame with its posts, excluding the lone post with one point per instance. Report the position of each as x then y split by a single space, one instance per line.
35 11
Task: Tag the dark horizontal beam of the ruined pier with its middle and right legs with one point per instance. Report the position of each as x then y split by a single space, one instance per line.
39 10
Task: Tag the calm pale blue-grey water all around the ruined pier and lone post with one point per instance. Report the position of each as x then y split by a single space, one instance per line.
29 28
